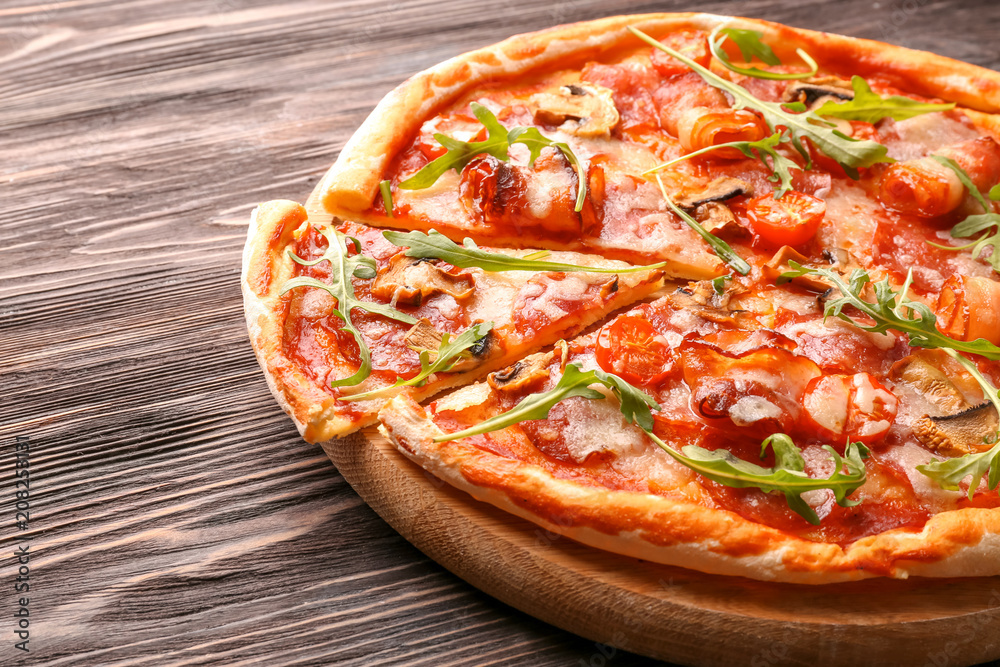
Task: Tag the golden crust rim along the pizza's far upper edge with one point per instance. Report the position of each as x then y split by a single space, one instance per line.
350 186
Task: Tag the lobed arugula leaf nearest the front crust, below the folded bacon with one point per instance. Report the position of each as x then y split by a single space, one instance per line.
785 477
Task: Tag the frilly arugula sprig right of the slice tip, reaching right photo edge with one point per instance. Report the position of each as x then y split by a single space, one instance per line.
892 310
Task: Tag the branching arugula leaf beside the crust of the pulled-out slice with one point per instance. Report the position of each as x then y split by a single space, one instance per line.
343 266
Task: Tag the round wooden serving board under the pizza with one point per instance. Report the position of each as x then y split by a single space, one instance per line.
667 612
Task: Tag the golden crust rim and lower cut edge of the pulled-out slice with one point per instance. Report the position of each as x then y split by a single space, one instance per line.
317 414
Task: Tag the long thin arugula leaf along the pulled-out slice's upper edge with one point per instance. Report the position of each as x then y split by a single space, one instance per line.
435 245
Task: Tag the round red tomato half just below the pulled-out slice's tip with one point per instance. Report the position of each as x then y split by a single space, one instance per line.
632 349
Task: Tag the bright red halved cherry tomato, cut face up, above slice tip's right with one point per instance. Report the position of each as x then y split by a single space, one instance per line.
791 220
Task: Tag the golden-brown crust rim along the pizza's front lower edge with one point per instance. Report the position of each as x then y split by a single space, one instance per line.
957 543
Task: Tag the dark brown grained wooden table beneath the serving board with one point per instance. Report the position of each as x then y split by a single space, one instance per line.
175 515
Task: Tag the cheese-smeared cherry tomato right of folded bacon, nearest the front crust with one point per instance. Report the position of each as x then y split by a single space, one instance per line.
858 407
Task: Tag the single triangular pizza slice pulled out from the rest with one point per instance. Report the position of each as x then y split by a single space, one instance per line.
341 318
